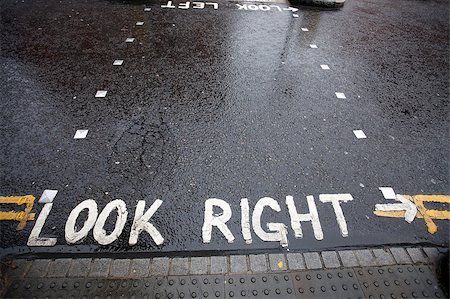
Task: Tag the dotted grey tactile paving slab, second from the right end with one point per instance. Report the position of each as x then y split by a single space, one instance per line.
327 284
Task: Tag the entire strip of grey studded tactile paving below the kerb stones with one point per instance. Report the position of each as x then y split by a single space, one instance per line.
368 282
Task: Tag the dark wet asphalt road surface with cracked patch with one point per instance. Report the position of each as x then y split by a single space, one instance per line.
224 103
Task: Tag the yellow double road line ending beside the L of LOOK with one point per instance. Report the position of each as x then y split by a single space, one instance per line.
22 217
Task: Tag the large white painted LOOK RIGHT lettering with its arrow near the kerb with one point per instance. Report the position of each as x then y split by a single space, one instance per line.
268 232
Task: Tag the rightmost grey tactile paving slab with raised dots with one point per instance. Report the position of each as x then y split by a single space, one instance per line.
398 282
